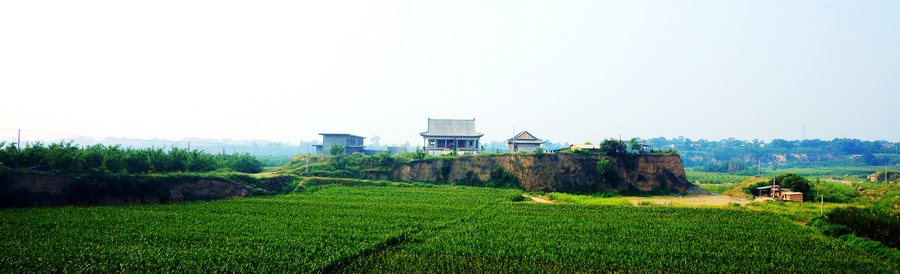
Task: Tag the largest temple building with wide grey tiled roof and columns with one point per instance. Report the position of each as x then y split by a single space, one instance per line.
447 135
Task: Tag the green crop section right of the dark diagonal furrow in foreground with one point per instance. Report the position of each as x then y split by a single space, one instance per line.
537 238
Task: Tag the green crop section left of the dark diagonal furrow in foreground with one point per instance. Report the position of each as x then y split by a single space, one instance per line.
292 233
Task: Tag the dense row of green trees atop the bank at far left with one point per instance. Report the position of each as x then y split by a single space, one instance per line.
66 157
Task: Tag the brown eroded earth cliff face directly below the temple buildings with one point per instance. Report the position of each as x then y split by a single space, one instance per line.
550 172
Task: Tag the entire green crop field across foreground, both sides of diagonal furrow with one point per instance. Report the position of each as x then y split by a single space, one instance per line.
415 229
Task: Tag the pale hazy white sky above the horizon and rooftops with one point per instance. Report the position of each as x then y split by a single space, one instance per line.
566 71
